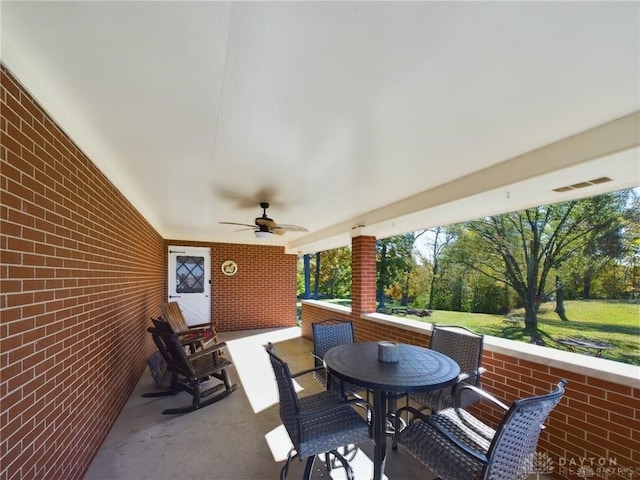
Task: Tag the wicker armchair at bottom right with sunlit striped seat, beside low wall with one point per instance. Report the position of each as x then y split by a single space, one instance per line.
455 445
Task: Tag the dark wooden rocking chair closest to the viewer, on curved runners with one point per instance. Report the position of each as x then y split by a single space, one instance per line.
189 372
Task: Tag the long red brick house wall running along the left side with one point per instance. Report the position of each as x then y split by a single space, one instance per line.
81 272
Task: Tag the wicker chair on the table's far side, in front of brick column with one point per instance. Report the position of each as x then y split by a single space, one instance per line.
326 335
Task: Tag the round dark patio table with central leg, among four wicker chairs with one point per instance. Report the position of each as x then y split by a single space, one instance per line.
417 369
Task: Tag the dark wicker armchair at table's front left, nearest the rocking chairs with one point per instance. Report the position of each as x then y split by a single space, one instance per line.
317 424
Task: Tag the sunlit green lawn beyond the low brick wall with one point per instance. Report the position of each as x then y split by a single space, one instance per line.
616 323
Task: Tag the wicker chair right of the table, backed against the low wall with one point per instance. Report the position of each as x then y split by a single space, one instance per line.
465 347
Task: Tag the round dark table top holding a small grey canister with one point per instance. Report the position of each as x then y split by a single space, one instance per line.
418 368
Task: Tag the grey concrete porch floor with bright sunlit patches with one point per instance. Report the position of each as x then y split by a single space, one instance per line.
238 438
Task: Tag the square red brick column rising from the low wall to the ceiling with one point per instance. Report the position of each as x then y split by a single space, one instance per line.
363 275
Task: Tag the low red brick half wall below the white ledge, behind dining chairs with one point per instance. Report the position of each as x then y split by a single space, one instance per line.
597 421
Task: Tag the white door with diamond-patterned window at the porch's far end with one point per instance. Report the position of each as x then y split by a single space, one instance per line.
190 282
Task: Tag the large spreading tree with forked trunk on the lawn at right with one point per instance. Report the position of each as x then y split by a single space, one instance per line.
522 248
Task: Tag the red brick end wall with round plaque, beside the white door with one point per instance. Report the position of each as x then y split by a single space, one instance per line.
263 292
